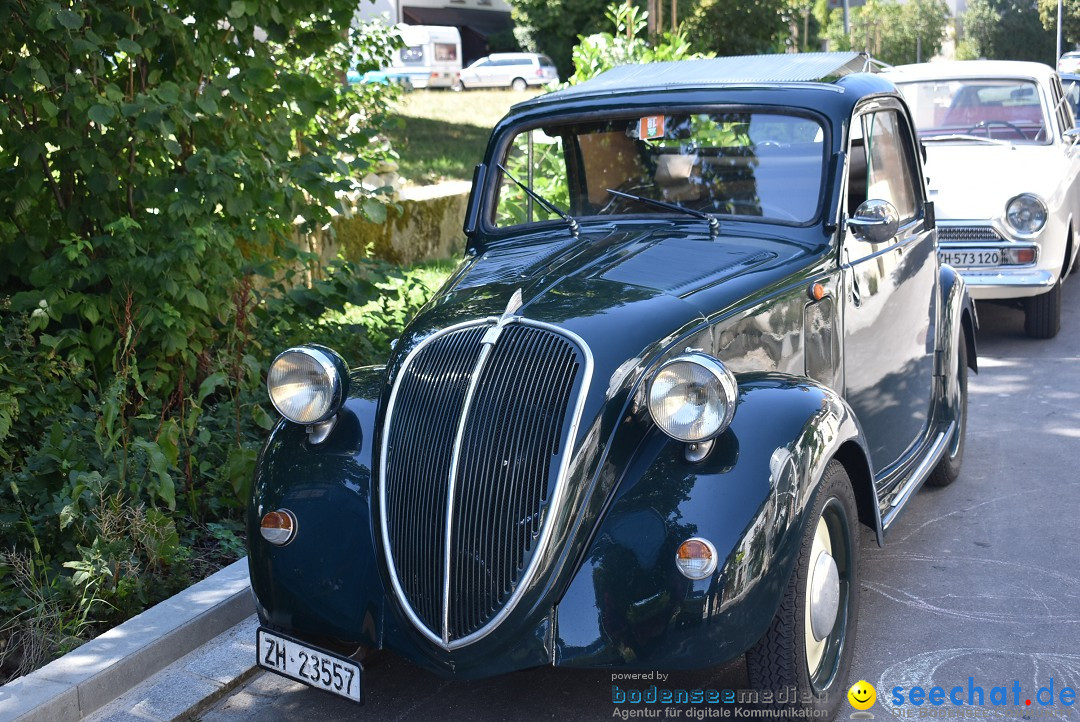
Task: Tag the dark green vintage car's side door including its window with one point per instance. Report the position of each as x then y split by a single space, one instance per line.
890 310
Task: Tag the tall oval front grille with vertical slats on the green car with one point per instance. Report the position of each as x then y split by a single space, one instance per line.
474 447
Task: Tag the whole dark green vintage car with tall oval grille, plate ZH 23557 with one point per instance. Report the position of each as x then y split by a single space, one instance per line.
700 336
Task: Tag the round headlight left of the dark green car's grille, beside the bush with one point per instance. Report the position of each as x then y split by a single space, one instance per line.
307 385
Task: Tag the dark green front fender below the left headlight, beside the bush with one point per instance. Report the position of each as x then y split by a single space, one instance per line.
309 585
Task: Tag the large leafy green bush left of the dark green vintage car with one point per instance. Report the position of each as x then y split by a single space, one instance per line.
158 161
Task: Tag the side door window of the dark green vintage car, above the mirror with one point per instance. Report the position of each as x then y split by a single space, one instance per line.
881 165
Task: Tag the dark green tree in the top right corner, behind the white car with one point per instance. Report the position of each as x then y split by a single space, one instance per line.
1005 31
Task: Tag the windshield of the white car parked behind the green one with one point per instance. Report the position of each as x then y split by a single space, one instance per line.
1007 110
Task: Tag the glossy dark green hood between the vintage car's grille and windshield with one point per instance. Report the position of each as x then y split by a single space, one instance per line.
622 290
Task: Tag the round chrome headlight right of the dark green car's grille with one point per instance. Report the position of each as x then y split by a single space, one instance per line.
693 398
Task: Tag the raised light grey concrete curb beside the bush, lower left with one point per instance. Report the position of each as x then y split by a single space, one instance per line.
87 679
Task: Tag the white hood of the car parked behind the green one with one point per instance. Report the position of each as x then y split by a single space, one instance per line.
975 181
